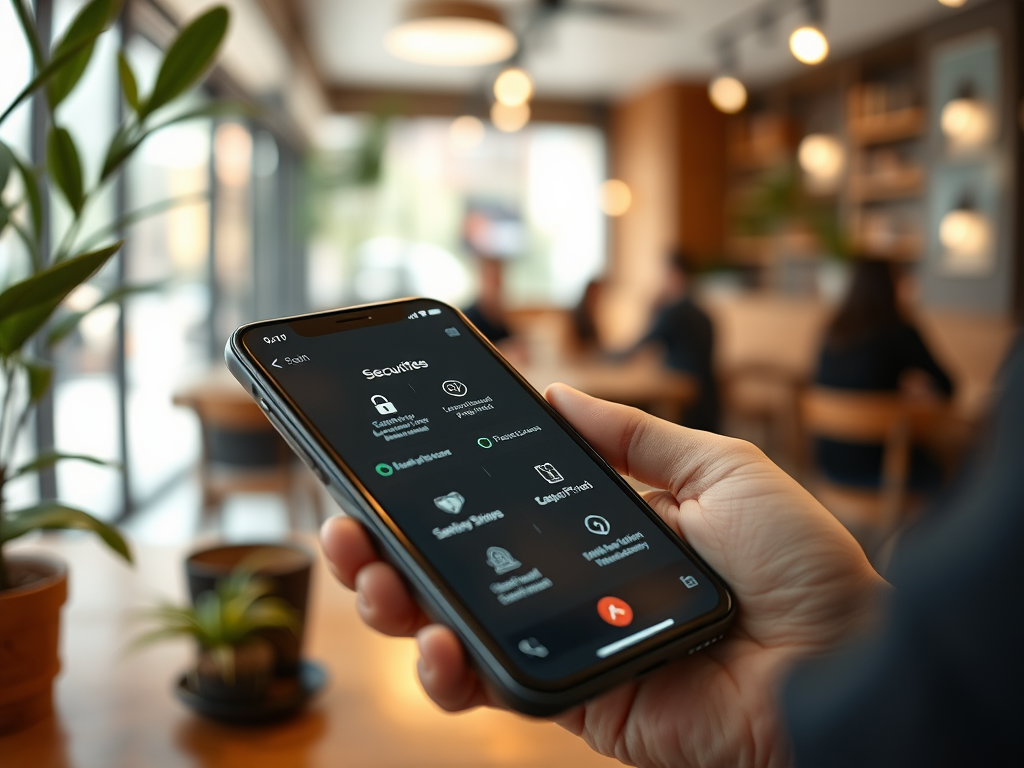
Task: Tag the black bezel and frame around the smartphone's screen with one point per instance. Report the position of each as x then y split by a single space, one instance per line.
327 323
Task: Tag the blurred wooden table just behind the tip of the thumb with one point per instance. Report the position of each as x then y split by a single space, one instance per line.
643 380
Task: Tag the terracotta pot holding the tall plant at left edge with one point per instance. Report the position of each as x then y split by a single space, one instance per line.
30 630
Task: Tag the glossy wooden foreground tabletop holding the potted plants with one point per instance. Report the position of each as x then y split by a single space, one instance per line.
118 711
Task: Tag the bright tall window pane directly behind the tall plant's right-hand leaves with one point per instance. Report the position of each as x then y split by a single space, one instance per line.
166 329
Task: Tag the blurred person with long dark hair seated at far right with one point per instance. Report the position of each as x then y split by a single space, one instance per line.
871 346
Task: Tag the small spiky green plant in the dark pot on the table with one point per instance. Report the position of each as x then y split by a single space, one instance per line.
224 619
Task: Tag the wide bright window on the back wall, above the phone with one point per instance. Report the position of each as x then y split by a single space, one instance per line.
403 231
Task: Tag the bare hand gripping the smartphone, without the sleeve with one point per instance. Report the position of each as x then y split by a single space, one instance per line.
801 582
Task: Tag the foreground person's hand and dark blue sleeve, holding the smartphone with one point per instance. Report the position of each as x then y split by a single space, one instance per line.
829 664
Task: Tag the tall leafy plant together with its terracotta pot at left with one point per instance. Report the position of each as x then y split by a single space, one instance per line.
33 321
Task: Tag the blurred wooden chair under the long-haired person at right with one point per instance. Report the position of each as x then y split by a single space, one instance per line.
871 418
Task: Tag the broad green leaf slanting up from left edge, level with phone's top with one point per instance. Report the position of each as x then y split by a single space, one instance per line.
26 307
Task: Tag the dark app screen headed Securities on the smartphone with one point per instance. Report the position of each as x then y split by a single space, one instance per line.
562 568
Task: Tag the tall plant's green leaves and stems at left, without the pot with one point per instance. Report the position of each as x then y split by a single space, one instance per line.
32 320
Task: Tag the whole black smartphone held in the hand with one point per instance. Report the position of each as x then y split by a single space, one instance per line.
561 581
